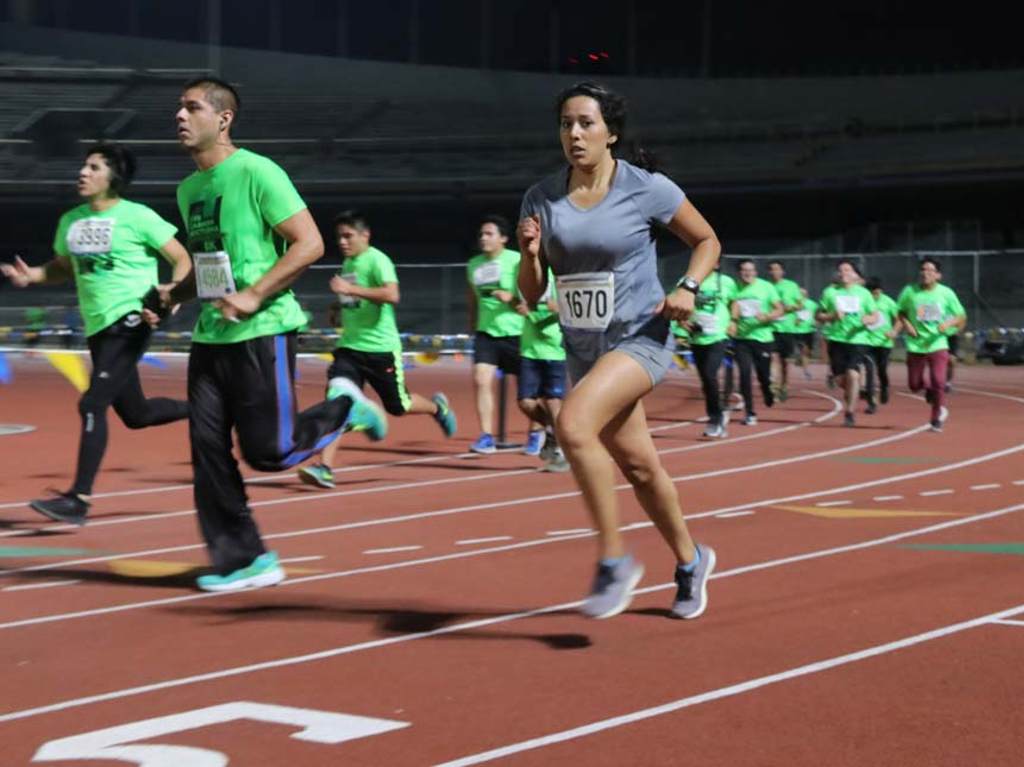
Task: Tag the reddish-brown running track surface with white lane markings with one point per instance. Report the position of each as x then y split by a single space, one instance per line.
437 636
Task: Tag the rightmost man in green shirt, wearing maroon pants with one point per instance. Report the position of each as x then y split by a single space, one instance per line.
930 313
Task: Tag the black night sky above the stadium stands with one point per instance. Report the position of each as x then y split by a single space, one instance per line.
747 37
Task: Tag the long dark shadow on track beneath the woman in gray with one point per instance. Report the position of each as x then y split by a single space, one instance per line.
390 622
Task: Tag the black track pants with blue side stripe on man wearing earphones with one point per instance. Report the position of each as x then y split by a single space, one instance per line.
248 387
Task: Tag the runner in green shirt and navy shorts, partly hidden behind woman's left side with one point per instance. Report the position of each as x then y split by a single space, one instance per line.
542 377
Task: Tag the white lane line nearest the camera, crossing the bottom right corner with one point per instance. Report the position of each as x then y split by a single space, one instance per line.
732 691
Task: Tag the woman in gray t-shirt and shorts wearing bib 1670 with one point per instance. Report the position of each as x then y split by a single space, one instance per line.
592 224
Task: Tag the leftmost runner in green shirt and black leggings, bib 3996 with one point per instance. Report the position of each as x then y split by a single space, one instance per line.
110 246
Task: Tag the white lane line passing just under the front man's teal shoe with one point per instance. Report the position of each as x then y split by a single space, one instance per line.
511 547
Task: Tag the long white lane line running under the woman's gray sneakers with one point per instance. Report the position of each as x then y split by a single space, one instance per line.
473 625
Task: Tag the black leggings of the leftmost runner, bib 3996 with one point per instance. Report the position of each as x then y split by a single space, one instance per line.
116 352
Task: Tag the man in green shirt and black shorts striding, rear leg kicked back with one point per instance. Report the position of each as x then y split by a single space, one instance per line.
370 349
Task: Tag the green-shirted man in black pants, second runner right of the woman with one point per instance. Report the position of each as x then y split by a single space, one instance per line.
754 308
